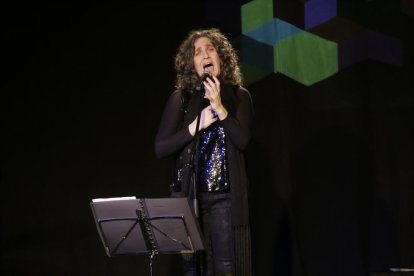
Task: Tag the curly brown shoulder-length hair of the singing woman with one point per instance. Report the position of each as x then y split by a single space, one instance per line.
186 75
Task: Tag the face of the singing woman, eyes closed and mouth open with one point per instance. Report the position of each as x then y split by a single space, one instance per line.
206 57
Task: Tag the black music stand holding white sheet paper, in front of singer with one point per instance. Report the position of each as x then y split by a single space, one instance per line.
129 226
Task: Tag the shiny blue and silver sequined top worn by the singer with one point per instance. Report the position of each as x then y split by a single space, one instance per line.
213 175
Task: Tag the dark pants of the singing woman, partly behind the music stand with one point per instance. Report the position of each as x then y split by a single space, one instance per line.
215 221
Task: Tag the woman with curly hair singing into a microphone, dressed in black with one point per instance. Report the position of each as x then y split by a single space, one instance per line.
207 62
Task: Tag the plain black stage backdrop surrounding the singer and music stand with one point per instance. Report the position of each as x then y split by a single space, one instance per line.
331 166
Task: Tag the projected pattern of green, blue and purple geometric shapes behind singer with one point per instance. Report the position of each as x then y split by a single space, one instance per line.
304 40
